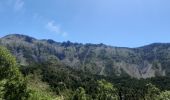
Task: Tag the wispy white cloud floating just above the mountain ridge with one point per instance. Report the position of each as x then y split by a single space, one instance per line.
52 27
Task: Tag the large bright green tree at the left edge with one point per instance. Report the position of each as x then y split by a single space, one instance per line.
14 85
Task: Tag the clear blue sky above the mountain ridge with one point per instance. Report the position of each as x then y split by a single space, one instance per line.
125 23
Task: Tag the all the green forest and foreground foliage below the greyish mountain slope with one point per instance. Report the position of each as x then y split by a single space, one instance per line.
51 80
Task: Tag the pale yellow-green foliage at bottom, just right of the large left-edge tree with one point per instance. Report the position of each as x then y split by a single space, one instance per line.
39 90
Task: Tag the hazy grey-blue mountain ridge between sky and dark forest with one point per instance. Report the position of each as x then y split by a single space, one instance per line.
143 62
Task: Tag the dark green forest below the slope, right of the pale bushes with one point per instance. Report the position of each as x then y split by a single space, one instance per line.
77 85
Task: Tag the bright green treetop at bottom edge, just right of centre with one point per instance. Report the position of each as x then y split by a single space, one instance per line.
106 91
